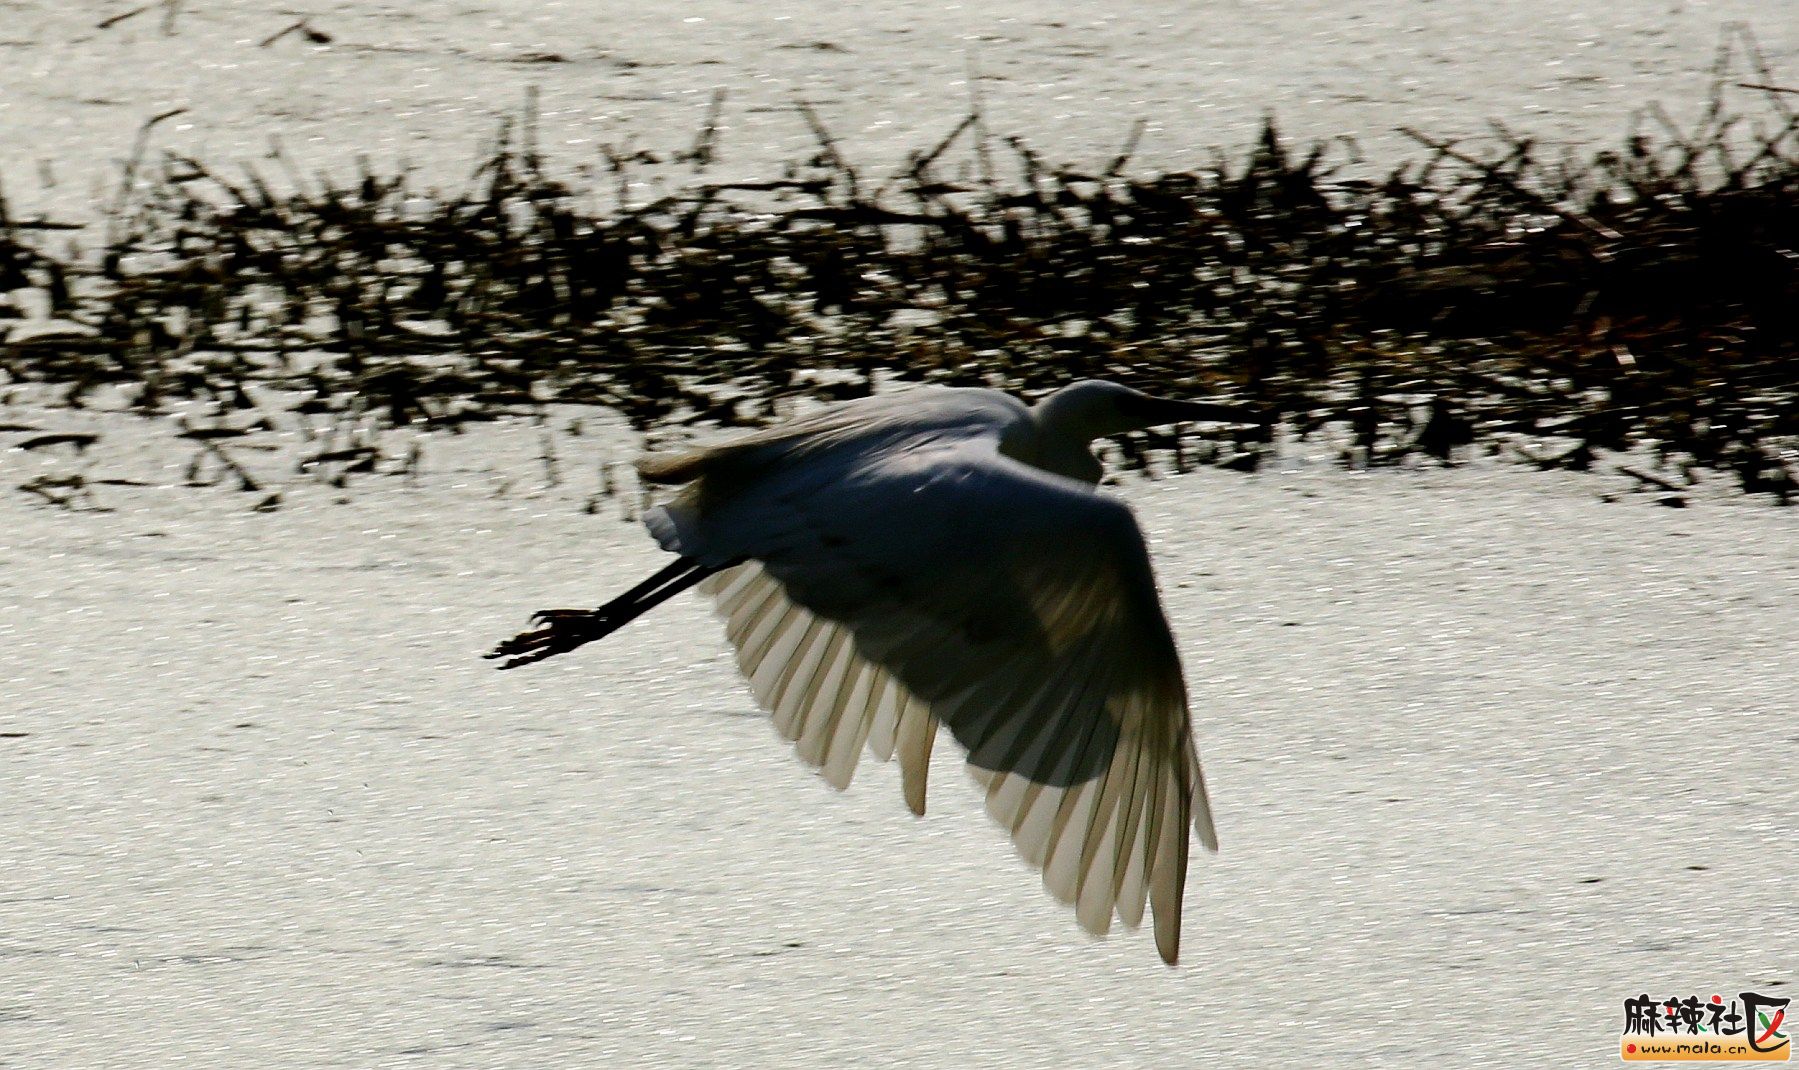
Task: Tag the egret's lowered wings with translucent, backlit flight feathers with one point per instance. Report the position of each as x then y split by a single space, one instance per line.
1017 609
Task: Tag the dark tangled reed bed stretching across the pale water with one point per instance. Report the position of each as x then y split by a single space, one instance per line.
1638 299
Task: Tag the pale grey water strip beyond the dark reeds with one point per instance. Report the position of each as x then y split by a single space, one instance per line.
427 84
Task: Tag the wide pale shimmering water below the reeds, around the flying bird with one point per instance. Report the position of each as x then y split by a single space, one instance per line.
1485 751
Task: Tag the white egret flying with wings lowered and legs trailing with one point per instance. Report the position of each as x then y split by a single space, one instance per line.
940 557
